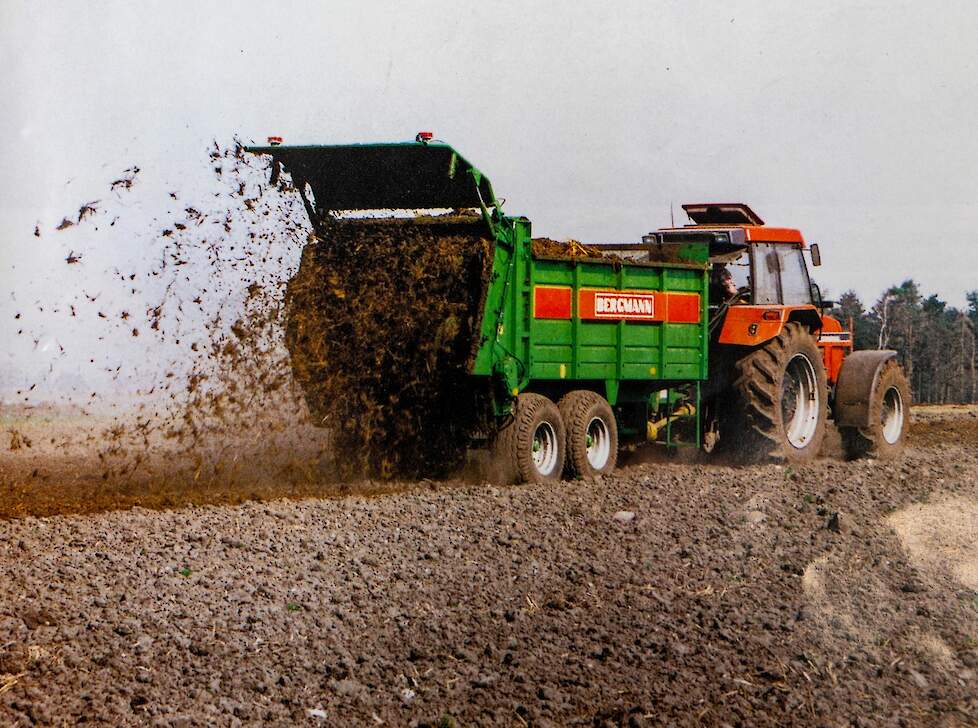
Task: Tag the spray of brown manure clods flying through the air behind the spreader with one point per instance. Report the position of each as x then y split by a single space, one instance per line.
192 399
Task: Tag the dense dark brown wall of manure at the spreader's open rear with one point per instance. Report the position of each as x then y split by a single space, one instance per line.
382 324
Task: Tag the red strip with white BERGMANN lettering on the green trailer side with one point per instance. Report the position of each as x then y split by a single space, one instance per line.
555 302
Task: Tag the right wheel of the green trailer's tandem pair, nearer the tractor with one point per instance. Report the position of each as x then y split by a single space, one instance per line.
592 434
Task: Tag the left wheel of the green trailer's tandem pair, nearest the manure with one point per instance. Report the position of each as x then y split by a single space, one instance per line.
531 447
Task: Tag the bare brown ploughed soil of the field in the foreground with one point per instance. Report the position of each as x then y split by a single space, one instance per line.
670 594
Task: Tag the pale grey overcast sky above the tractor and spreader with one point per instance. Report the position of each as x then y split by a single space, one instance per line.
852 121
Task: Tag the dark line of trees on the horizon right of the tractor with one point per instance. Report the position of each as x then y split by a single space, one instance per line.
936 343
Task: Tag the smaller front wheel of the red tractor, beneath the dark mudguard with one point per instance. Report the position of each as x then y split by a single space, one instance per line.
889 415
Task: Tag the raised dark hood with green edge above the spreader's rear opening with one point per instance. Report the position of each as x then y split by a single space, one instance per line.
409 175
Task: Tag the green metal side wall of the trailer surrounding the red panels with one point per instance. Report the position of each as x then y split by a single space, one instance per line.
521 350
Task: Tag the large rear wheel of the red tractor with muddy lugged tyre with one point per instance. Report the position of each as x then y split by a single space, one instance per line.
765 382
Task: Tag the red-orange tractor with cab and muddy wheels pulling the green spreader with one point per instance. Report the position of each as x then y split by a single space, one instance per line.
780 366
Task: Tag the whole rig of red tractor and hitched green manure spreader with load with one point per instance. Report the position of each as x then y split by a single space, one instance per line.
432 321
